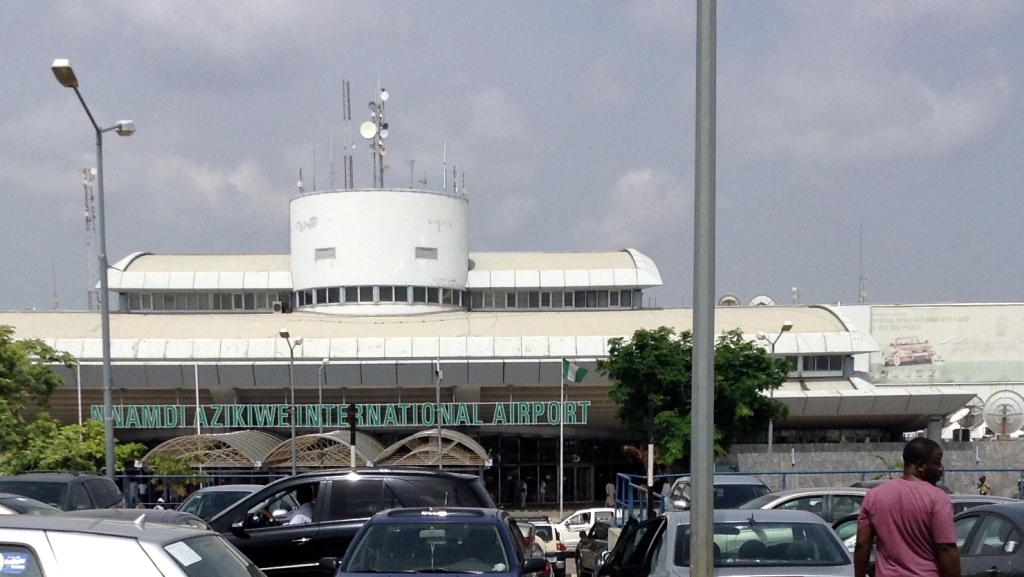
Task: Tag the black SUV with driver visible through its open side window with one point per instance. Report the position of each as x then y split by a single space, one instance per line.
271 526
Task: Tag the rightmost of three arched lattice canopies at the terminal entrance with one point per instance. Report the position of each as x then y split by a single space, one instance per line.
420 449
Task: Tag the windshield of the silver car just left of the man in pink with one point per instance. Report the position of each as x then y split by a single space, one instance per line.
765 545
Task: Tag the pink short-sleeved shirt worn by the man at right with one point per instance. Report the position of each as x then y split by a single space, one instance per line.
909 517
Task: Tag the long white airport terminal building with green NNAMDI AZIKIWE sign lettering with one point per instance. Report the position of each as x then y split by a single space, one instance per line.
395 312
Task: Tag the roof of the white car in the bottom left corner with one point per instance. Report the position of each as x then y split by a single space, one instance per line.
155 533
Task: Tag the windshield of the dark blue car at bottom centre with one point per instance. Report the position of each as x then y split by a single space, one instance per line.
429 548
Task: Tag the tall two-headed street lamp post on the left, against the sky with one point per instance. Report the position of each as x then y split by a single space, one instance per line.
66 76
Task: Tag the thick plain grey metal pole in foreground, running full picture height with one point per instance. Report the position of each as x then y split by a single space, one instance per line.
703 403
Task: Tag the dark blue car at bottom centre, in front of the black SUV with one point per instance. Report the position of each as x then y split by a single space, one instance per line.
439 541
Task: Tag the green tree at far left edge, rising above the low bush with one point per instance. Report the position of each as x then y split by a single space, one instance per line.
27 382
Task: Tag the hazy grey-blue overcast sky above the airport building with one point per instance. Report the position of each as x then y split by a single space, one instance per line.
572 121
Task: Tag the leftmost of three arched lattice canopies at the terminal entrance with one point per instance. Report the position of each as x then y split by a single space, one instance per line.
247 449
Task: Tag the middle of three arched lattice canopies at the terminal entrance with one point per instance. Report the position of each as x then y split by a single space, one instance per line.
325 450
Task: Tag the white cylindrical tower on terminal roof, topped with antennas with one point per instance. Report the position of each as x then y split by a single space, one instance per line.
376 252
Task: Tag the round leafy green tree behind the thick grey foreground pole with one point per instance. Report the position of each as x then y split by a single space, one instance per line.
652 374
